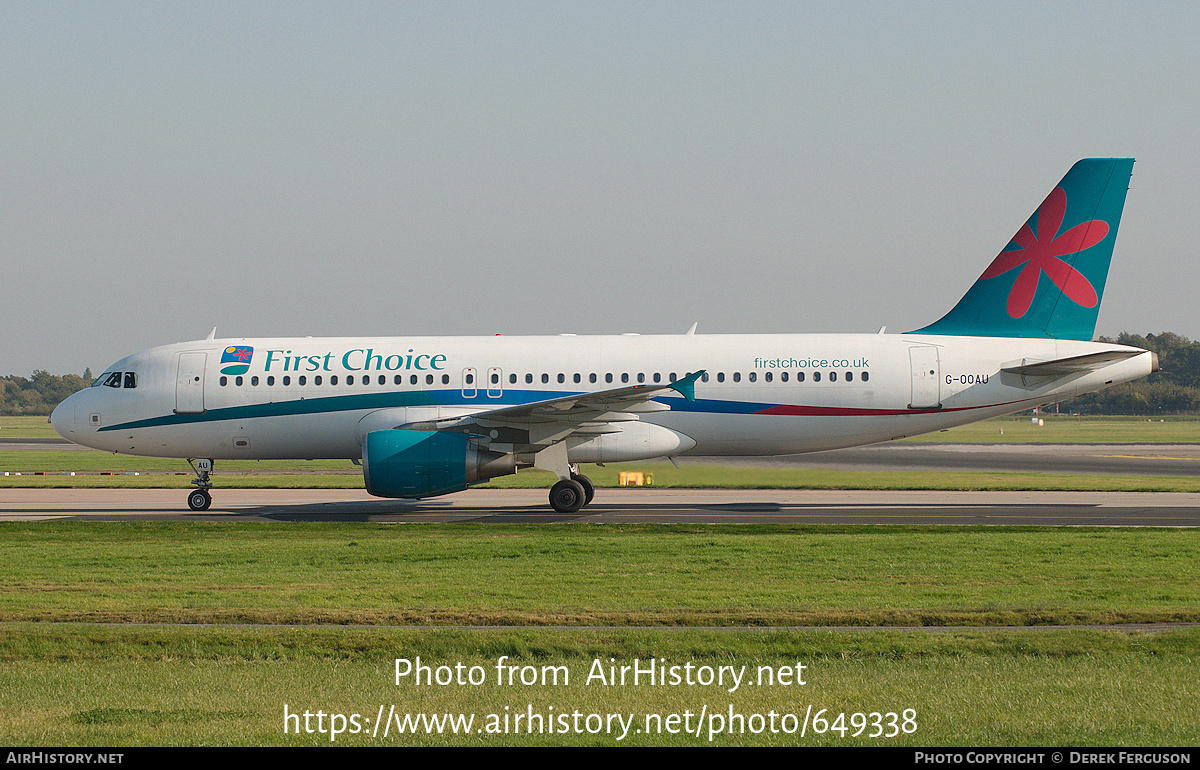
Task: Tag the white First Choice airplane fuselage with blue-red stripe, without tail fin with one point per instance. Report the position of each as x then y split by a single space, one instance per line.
761 394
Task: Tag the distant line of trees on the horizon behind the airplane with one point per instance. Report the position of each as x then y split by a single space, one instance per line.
1174 390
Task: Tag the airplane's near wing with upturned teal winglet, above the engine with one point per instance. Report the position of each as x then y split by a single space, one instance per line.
544 423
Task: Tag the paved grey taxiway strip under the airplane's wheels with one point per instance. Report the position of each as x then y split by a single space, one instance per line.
644 506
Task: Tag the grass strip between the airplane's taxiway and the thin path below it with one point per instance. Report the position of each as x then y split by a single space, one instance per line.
596 575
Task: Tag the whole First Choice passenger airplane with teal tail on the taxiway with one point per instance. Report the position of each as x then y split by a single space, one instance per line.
433 416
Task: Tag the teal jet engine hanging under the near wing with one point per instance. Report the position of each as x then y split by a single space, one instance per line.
428 464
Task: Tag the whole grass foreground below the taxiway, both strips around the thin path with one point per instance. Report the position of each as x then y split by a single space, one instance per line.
616 593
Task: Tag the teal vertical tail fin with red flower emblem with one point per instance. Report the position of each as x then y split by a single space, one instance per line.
1049 280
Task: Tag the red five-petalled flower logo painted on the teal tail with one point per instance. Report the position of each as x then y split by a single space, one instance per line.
1041 252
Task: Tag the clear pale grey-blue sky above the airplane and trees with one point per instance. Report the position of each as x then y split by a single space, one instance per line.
428 169
